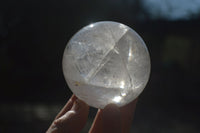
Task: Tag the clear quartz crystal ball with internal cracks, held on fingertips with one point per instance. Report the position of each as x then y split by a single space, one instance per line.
106 62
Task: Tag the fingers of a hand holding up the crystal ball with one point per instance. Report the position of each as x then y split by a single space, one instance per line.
111 119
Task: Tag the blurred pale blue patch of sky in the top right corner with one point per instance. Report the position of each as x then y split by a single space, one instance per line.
172 9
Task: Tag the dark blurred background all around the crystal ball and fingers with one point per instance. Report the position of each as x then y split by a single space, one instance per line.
34 33
